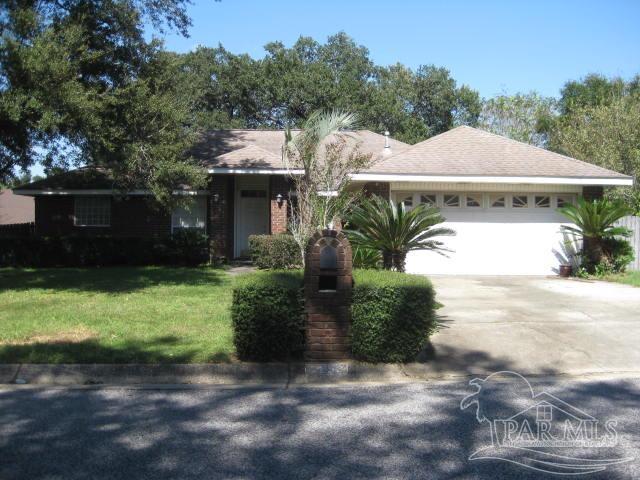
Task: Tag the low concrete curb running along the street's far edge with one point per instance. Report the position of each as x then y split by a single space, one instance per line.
272 374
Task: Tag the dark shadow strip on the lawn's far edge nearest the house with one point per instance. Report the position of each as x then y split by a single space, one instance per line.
109 279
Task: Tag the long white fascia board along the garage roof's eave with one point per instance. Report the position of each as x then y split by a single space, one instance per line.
383 177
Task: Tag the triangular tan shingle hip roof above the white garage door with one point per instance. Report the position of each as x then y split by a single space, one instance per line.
469 151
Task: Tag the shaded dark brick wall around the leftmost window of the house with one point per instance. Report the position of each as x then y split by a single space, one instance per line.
132 216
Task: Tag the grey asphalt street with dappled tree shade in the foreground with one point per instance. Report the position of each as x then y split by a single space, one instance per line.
366 431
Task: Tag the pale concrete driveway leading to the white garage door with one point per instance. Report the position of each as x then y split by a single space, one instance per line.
536 325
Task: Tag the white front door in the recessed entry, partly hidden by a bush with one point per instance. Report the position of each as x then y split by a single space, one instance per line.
251 211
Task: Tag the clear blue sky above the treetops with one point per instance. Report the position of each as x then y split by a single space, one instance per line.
493 46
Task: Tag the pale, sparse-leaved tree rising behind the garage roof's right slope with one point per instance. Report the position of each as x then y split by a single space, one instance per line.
522 117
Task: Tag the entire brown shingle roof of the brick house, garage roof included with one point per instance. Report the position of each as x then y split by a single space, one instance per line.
463 151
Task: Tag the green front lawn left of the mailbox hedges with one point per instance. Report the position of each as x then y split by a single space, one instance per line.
115 315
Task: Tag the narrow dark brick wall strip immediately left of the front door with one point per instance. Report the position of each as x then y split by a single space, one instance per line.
220 215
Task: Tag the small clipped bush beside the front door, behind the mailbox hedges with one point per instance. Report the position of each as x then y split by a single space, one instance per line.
275 252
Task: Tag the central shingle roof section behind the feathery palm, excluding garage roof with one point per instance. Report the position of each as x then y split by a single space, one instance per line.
229 149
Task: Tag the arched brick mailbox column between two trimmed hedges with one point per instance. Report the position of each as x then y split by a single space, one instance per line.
327 286
